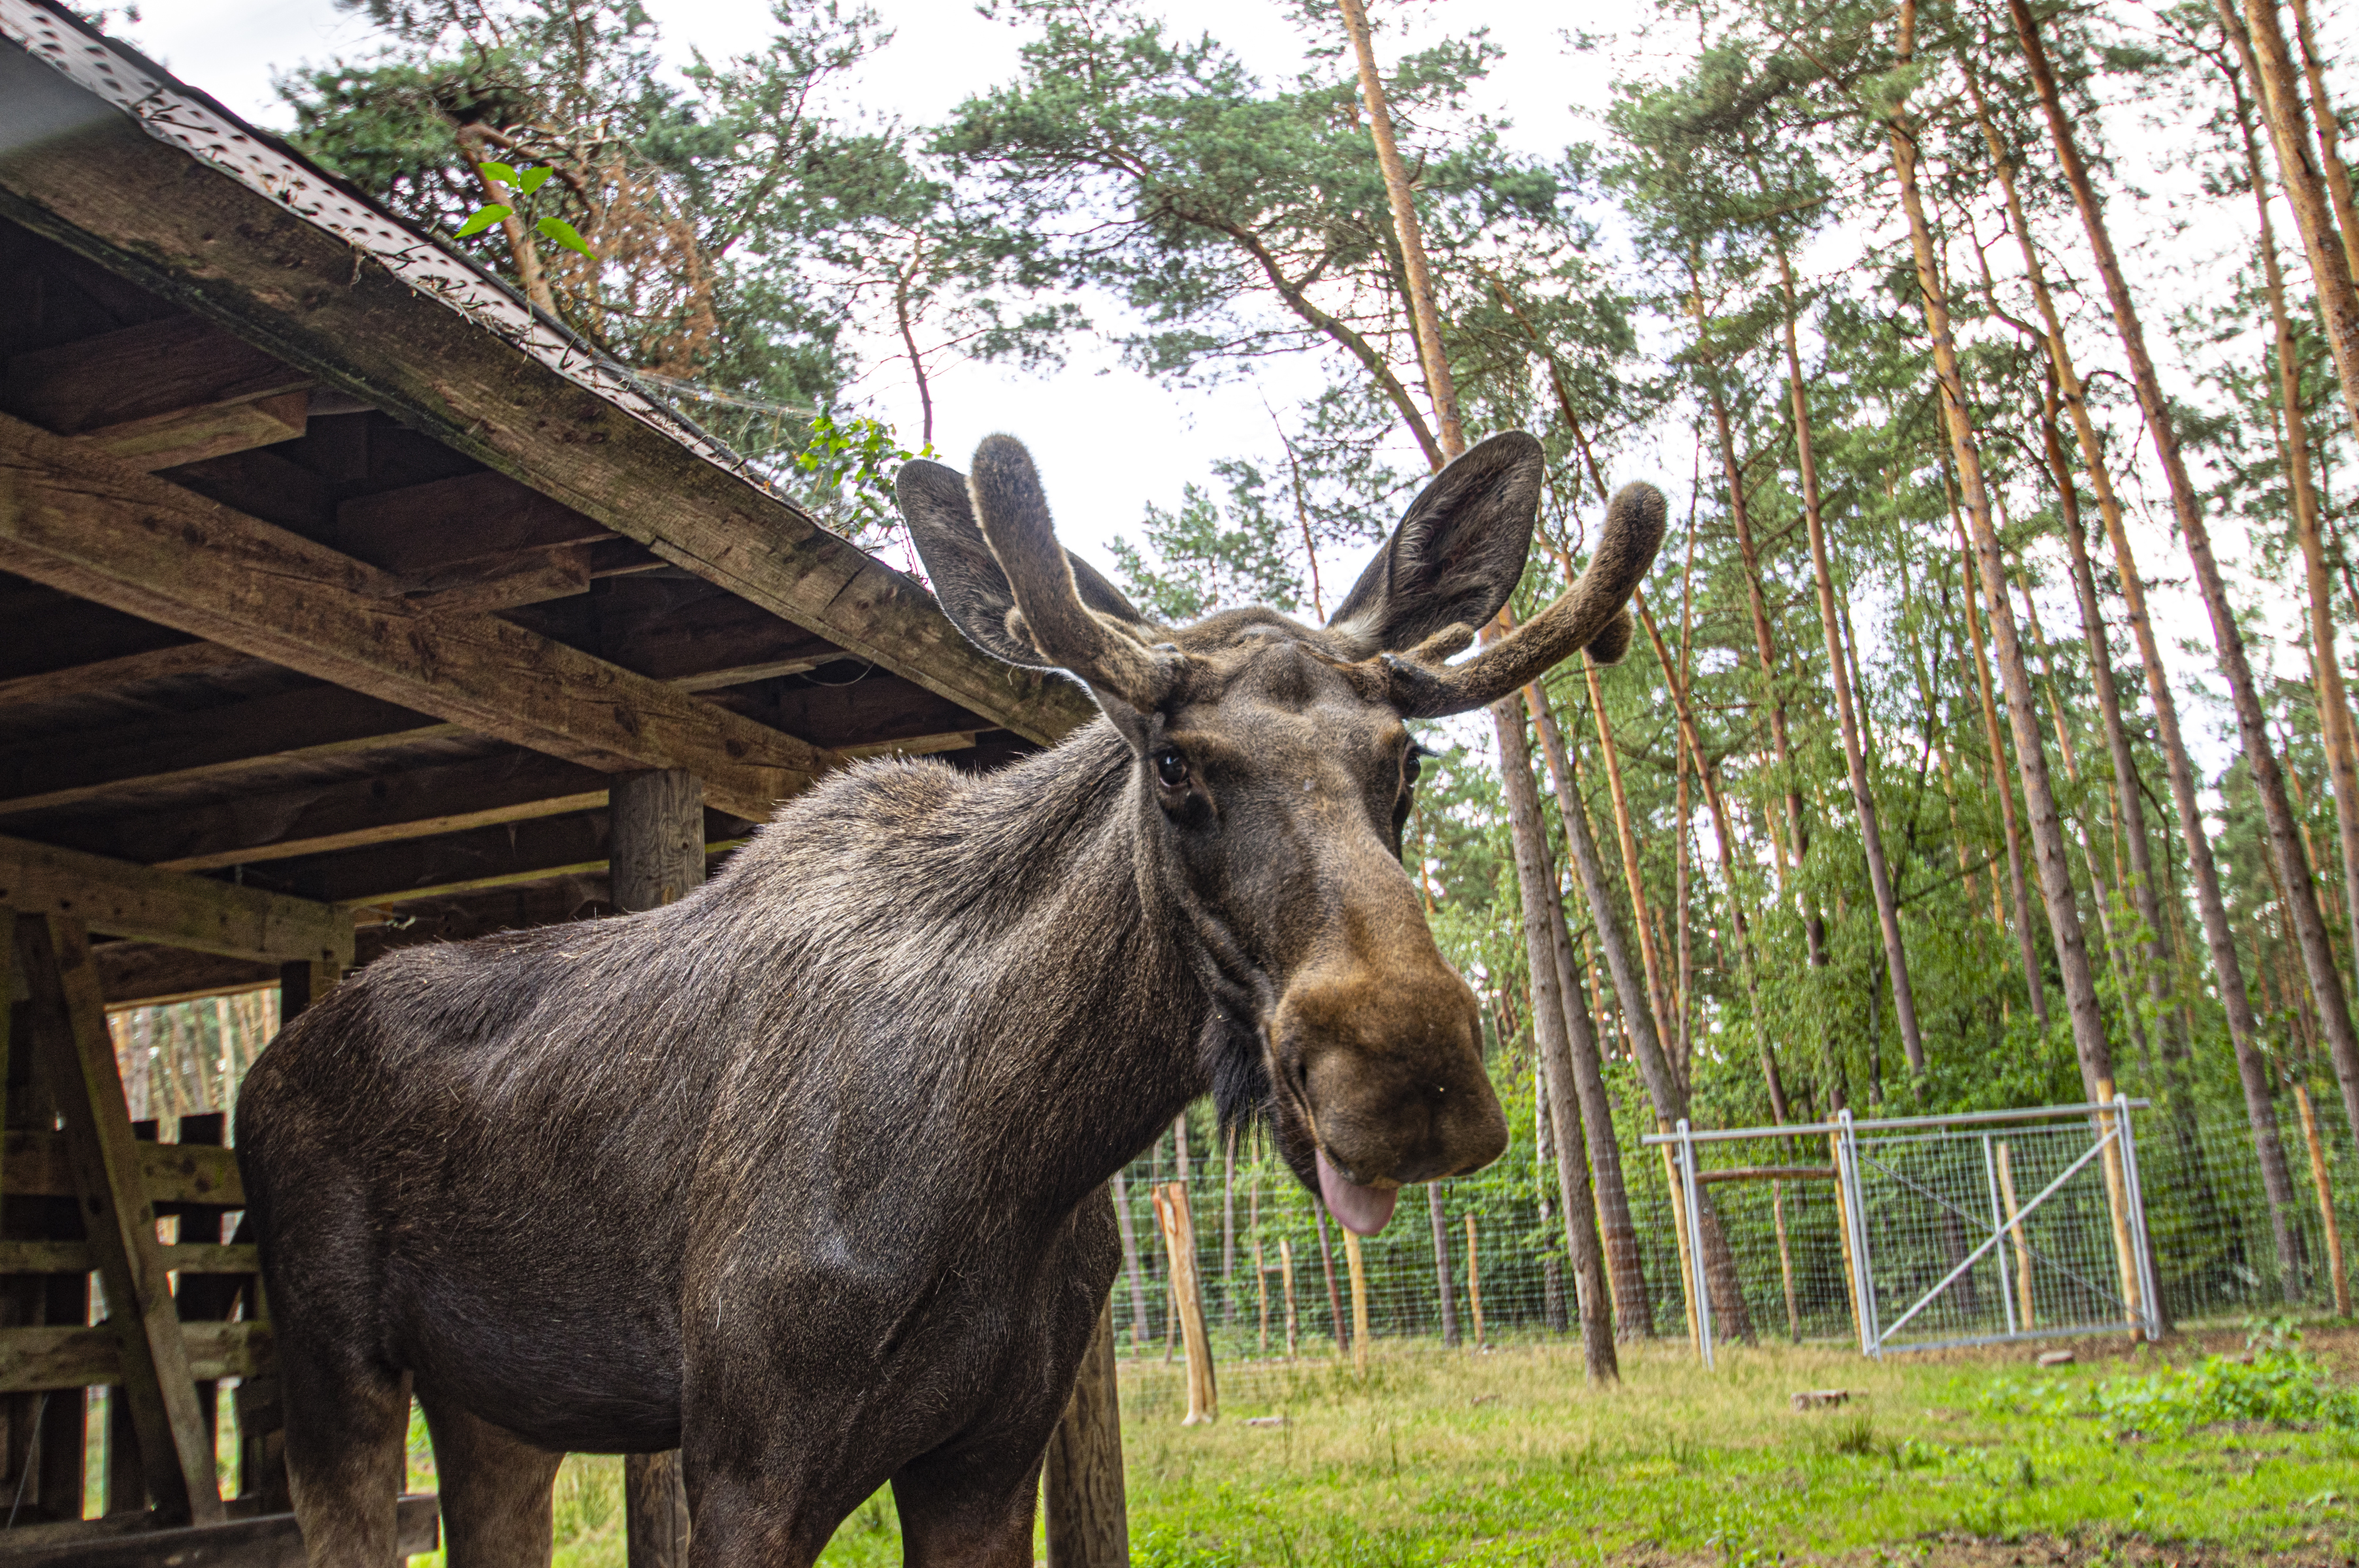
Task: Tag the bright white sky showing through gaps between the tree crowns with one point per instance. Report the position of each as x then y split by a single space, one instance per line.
1112 442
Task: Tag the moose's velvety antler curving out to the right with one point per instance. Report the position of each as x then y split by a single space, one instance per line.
1586 617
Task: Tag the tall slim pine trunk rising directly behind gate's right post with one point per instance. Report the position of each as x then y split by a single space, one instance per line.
2023 713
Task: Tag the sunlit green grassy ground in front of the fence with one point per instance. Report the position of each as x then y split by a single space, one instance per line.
1511 1458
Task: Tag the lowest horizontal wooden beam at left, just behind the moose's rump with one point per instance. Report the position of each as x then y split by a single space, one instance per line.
169 907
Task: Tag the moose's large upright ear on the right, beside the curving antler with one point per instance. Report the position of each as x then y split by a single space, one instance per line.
1457 555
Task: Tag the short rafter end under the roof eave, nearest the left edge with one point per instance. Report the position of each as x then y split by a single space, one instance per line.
159 395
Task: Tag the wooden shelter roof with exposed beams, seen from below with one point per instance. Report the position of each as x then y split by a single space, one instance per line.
336 581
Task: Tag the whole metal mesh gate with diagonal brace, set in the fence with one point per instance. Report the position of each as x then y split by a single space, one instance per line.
1954 1230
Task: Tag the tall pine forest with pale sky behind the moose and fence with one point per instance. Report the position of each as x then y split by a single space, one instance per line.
1952 329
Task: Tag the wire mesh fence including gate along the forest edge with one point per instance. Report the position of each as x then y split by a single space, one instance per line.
1928 1204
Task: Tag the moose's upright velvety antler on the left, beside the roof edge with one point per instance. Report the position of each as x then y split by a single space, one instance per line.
1013 515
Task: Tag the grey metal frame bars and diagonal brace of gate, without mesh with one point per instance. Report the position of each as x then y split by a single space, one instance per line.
2112 1128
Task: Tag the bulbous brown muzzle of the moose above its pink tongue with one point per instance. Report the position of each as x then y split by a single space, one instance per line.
1391 1069
